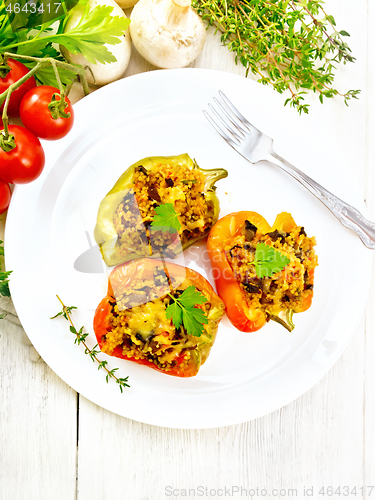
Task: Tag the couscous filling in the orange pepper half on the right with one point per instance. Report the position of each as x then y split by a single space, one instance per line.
284 290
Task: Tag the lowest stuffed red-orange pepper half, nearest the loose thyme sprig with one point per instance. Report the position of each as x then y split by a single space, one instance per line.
158 314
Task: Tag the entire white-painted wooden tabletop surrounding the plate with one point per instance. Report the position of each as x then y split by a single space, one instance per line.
321 439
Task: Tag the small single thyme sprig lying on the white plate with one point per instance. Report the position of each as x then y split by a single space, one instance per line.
81 339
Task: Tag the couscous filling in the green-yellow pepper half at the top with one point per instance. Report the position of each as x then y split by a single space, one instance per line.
179 185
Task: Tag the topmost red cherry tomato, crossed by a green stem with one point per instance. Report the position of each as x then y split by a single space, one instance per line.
17 71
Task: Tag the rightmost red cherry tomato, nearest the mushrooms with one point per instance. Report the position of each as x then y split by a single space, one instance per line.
37 117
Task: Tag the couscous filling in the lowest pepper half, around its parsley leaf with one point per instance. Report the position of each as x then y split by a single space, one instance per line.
140 328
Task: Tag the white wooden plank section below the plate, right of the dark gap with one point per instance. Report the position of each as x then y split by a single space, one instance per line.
315 441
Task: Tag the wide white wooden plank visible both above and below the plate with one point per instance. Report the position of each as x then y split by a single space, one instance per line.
313 442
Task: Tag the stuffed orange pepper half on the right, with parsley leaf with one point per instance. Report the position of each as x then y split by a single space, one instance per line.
261 272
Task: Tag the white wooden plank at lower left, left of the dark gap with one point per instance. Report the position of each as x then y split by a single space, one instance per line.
38 418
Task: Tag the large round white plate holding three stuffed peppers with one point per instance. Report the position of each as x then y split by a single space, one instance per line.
160 113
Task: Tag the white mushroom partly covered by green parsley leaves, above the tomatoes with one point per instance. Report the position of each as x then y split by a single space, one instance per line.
100 74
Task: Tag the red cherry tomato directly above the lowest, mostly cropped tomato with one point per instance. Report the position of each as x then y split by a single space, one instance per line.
26 161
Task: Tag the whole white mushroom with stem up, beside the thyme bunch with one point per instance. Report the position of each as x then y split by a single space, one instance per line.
167 33
